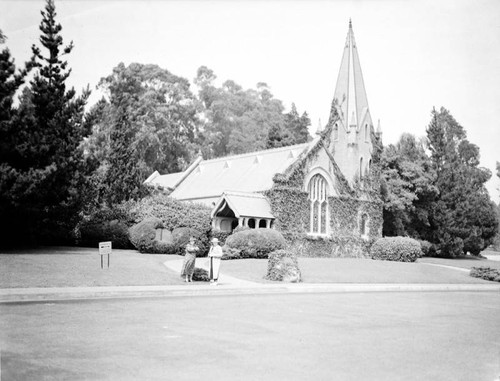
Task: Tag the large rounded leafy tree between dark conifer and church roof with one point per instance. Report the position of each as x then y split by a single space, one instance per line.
149 124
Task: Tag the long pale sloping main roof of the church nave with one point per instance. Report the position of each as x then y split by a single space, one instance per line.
251 172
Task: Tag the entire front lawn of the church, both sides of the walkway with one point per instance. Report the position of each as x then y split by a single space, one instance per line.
81 267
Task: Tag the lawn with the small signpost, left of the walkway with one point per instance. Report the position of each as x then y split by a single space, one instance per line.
74 266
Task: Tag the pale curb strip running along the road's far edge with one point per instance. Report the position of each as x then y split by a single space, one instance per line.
34 295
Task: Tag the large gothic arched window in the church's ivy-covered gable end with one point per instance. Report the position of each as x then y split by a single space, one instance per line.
318 198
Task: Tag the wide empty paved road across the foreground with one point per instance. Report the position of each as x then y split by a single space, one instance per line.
356 336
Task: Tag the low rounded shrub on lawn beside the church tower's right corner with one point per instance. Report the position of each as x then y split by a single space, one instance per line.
401 249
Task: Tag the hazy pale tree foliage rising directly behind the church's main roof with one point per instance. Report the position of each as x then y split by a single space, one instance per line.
238 120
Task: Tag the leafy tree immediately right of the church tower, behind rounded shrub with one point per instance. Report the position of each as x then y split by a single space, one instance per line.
409 190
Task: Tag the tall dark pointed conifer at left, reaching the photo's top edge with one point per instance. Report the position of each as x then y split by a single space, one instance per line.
42 176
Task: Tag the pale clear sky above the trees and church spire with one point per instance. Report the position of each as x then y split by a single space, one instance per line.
414 54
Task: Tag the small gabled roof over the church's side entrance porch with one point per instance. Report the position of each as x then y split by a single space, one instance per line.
244 205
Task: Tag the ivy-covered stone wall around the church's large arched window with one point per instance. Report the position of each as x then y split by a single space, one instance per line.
291 207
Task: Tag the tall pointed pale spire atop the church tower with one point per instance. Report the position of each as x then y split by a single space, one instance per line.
350 89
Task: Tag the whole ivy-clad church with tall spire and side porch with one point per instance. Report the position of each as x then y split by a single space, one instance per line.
322 195
